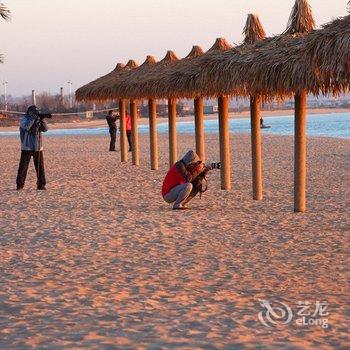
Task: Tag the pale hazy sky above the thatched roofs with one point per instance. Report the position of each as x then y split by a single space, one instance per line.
49 42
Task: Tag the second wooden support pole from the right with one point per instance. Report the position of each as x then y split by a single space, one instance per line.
255 103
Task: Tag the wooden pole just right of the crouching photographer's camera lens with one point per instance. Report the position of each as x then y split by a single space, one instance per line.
224 136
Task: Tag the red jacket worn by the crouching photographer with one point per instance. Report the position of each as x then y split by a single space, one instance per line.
177 175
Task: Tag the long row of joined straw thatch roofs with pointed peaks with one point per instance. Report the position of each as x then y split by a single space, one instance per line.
299 59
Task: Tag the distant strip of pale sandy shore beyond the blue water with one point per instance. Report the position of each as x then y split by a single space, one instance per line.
101 123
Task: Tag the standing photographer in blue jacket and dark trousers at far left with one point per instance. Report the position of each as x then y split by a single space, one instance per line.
32 124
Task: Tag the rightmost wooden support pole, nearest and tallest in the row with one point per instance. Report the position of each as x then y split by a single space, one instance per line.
300 152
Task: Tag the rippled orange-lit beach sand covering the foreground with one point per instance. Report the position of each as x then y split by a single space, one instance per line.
100 261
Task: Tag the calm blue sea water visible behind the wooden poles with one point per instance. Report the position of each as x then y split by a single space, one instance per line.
326 125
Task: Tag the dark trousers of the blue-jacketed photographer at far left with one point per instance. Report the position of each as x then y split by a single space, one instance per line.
39 168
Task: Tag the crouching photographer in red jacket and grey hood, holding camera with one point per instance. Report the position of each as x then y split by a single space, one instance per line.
185 180
